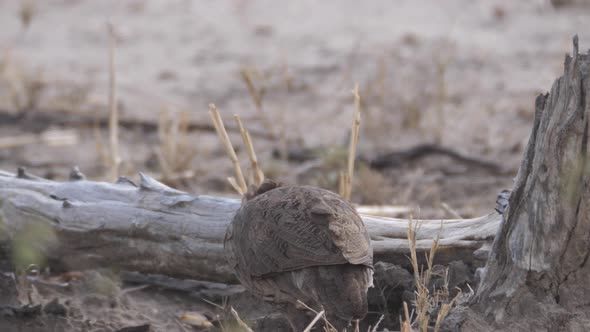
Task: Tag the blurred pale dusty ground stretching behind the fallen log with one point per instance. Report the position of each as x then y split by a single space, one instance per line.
462 75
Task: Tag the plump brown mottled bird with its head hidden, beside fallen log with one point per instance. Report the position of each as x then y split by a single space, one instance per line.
293 244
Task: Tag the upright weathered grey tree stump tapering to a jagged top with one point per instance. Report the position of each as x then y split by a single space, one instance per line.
538 274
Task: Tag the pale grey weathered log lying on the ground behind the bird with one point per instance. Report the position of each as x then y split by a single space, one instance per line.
155 229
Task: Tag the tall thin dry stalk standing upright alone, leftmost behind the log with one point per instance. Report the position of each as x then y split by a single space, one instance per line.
114 111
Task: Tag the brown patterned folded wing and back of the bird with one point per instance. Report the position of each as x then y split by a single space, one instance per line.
290 228
